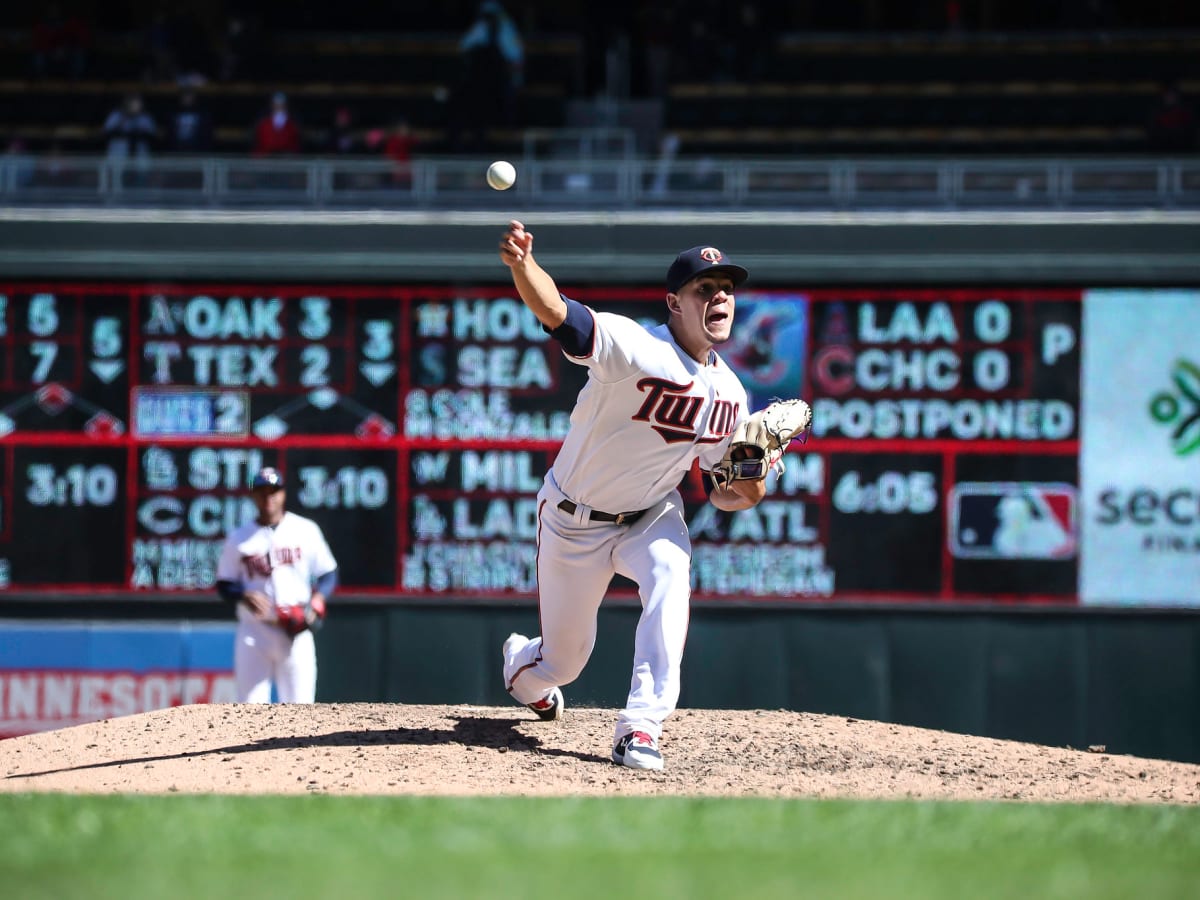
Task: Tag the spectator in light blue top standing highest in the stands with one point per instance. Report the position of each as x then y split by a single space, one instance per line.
493 70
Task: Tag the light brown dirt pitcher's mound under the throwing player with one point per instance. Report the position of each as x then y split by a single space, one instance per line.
393 749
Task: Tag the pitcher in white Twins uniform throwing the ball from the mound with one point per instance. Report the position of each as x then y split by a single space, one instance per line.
656 401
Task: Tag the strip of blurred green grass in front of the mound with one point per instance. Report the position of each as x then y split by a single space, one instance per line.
658 849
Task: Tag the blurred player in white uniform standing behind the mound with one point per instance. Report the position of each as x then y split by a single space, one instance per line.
279 572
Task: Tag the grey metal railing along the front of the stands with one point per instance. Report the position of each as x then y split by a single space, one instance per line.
619 183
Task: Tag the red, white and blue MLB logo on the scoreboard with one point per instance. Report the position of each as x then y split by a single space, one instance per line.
1013 520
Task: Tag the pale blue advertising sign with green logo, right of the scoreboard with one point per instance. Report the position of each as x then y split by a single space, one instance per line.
1141 457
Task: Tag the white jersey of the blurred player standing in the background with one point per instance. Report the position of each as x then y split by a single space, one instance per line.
281 562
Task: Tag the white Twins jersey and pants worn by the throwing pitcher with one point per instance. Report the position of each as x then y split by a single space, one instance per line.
647 413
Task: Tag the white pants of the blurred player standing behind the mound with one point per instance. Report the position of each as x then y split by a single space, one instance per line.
265 653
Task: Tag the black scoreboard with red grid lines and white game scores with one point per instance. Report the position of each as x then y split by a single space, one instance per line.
416 424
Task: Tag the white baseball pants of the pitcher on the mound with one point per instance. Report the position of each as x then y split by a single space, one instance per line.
577 562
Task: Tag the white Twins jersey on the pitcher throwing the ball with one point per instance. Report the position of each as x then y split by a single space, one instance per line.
647 412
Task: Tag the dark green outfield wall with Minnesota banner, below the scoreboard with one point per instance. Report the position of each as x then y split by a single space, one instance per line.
1127 681
